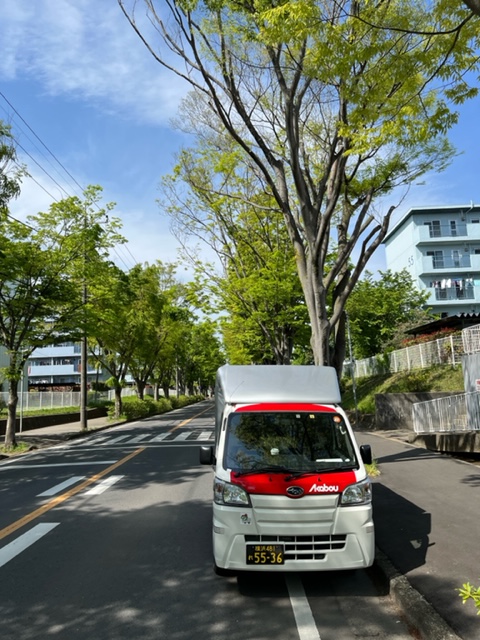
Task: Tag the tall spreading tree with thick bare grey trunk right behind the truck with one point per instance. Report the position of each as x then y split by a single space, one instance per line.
328 112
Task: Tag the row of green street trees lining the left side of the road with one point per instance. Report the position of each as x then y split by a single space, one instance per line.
58 283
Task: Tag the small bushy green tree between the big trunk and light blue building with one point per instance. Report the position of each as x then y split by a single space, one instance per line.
378 307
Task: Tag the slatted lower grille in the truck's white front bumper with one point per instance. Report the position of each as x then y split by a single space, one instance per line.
303 547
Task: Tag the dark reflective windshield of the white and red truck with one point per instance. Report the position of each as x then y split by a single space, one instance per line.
288 440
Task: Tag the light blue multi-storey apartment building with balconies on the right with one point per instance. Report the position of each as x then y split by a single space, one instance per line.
440 248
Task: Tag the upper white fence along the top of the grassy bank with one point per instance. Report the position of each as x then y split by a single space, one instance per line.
419 356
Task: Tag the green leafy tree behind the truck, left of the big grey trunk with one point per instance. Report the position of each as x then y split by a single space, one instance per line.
258 288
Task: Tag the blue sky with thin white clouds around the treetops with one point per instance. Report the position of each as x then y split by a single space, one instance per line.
81 79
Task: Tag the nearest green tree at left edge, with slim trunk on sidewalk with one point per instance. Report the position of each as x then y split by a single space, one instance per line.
44 264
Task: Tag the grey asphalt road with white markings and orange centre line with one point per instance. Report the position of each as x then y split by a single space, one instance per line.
109 537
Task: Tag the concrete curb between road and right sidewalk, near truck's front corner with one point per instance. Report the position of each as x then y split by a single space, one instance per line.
417 611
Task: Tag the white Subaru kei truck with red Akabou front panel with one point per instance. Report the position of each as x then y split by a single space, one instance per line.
291 492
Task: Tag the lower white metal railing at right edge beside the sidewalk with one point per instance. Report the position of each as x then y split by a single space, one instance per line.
452 414
